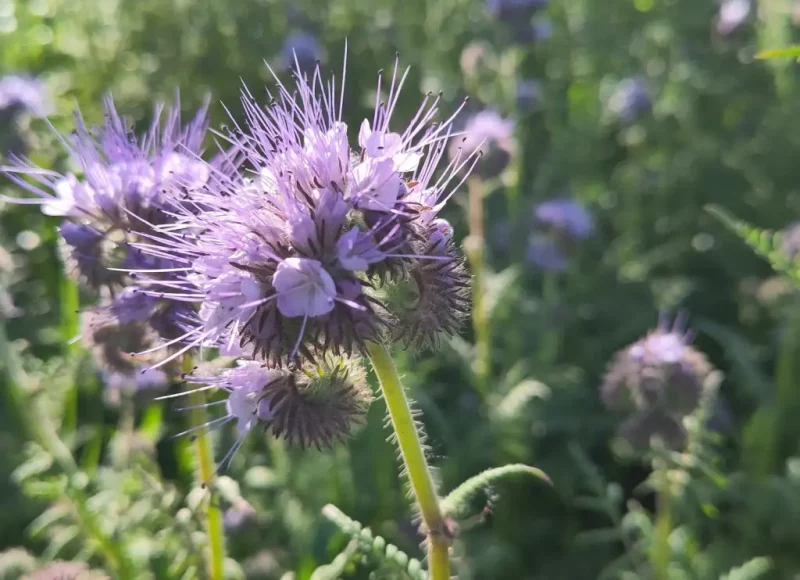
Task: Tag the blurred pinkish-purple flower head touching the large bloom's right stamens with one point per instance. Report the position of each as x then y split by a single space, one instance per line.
489 132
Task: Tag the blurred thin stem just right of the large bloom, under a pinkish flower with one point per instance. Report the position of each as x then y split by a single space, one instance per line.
475 254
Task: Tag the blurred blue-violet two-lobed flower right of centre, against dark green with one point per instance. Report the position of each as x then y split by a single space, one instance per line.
561 224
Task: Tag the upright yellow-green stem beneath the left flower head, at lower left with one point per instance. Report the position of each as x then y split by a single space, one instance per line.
205 471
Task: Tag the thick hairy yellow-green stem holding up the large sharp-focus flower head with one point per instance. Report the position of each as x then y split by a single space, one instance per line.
419 474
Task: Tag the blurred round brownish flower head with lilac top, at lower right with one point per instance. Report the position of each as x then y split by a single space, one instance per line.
660 375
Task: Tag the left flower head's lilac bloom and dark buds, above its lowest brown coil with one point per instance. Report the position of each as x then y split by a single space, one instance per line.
125 186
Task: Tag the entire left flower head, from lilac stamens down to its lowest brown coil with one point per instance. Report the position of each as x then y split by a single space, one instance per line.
126 189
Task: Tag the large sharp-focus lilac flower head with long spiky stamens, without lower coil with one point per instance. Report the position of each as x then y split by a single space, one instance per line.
294 258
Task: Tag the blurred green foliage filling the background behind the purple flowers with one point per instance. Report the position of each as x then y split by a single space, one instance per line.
724 130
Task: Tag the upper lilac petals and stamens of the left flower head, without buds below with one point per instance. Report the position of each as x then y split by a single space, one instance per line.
124 177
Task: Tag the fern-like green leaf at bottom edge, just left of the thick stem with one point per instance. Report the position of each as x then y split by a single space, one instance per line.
374 548
